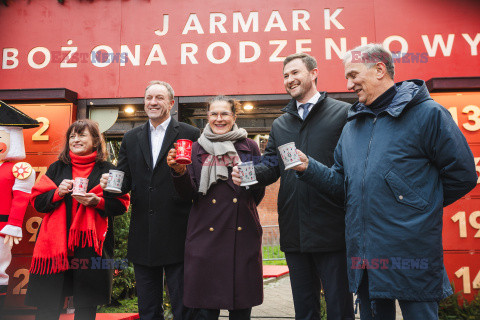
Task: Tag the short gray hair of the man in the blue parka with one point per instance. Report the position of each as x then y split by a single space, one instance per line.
369 55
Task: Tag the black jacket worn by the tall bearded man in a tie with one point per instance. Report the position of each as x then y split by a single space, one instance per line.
309 220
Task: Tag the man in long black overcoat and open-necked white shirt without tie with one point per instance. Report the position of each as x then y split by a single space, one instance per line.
158 225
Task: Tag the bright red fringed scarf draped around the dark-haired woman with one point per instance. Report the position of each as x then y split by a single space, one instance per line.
88 227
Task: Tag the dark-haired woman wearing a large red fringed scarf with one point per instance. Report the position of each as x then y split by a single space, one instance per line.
76 234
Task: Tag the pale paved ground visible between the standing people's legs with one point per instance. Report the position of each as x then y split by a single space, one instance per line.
278 302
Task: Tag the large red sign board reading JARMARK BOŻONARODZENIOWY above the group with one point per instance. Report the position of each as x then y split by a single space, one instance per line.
113 48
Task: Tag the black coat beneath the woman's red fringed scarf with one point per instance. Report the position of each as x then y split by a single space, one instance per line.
89 285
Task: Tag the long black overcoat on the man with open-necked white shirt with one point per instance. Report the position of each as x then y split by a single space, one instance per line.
159 216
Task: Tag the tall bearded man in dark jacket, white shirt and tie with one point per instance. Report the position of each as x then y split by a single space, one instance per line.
312 227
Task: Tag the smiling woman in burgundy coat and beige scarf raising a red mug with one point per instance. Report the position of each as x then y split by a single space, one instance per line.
223 258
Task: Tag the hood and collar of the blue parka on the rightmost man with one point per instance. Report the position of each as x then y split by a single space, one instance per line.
410 92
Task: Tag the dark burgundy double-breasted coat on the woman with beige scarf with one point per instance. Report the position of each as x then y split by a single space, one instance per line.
223 258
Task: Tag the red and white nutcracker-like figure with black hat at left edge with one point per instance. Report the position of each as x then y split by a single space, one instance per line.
16 182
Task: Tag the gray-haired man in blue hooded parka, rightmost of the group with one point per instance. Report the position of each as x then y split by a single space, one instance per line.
401 158
